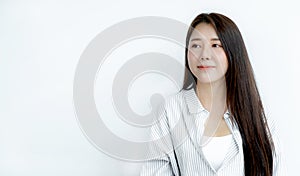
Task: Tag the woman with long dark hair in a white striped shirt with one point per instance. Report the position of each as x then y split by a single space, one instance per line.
223 128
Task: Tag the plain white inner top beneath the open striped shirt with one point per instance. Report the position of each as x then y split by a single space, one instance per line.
216 149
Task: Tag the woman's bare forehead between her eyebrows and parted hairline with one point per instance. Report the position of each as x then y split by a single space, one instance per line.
204 30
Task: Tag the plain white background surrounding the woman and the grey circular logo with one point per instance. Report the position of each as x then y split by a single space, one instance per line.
41 43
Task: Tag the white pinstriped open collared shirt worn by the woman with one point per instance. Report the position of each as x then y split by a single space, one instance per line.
181 124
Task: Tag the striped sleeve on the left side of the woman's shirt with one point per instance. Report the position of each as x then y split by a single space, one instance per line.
160 151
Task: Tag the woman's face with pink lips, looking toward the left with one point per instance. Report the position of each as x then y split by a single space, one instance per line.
206 57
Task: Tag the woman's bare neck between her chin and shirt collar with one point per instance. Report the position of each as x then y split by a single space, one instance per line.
212 95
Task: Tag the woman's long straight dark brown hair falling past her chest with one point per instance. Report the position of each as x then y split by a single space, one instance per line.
243 99
